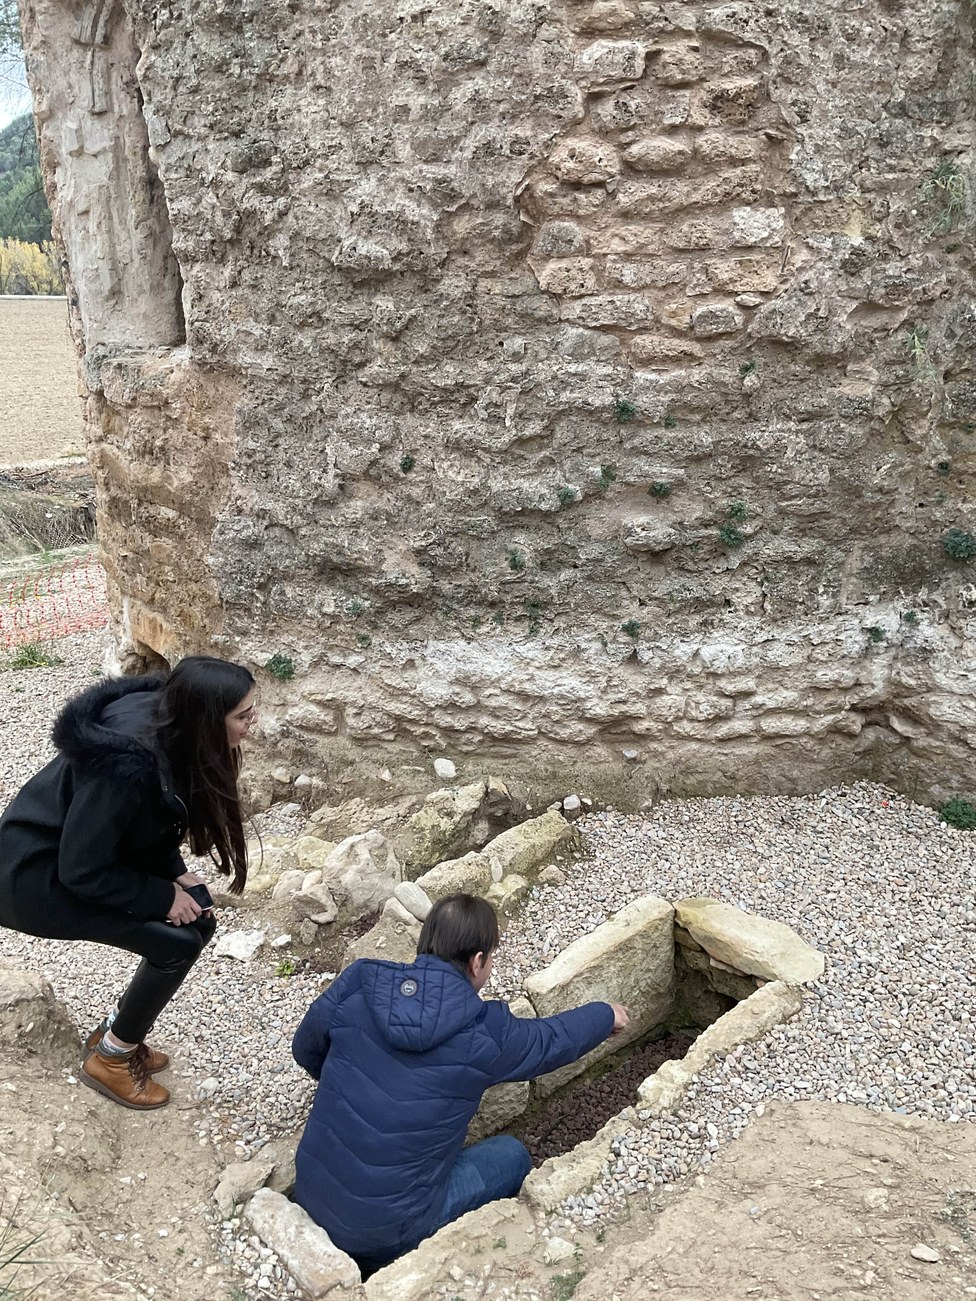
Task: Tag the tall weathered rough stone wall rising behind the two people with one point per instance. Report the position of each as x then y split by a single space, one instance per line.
565 383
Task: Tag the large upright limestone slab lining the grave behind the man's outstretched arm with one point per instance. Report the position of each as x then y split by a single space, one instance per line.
630 961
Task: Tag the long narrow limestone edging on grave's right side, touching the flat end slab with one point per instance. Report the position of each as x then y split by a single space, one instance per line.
745 1023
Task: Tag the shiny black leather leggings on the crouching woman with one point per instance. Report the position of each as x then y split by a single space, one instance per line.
167 953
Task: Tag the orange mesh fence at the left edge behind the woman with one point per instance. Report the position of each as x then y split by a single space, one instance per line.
42 603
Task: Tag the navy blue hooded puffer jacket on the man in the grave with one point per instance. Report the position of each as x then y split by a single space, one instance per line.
403 1054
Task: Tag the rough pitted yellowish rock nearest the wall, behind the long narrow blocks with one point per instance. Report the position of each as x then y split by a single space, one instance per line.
455 822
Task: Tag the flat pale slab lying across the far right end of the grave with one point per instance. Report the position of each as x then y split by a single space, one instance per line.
750 944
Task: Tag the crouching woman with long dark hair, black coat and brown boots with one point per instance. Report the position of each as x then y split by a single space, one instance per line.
90 848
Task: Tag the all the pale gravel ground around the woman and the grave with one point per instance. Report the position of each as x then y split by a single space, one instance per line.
880 885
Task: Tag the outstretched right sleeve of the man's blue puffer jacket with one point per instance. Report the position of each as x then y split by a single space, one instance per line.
532 1047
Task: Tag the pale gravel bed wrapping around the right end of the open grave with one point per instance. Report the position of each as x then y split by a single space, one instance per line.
880 885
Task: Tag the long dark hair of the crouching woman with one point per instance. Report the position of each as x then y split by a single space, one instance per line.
191 731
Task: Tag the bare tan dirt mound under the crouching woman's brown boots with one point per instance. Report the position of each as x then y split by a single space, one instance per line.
102 1203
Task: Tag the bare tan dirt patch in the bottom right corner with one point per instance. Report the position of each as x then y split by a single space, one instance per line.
817 1200
